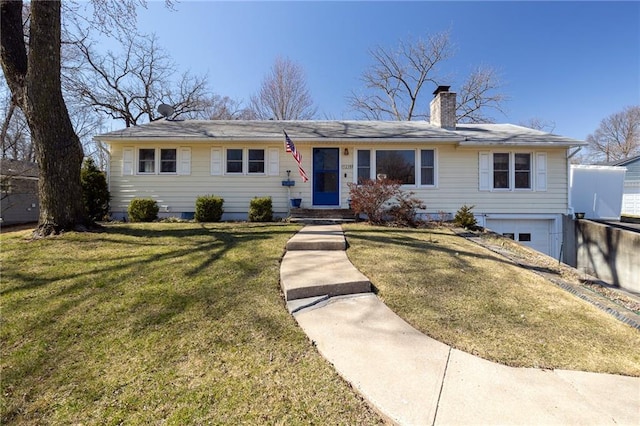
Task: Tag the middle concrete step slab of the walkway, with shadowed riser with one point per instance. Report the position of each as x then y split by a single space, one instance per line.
311 273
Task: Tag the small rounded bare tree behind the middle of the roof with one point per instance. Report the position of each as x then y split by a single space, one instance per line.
283 94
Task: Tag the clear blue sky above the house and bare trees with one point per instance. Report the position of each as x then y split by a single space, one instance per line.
572 63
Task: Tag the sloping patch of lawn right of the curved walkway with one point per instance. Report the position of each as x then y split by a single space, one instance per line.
474 300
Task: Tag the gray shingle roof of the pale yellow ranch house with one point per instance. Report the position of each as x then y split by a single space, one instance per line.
338 131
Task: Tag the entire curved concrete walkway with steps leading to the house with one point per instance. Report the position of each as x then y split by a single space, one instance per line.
412 379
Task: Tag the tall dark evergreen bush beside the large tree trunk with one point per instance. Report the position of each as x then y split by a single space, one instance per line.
95 191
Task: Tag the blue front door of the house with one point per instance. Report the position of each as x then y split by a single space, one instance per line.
326 177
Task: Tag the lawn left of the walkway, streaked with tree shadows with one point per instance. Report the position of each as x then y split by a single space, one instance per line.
159 323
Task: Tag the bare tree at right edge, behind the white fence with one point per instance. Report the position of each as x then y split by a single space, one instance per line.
617 137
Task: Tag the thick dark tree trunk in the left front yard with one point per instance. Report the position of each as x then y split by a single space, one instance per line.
39 93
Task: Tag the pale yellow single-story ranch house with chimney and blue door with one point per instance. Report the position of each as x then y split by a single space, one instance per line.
517 178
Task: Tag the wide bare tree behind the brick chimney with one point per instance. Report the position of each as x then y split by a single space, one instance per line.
397 86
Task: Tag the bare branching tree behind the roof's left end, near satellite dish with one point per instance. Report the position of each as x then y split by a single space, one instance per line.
129 86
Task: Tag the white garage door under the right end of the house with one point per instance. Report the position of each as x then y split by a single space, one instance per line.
535 233
